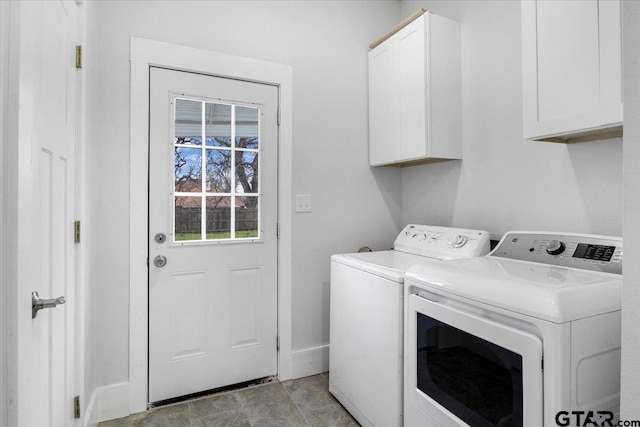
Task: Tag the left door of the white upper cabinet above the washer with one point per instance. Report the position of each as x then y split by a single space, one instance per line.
384 105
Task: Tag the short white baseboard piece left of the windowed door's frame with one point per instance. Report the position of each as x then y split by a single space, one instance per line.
107 403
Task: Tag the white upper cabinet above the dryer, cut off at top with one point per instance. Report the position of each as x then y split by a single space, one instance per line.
572 69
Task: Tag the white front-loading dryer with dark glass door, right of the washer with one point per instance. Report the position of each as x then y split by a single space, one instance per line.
526 336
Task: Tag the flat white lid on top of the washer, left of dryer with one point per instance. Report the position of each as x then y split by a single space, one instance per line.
390 265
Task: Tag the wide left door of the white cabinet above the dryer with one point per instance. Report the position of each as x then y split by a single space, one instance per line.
561 79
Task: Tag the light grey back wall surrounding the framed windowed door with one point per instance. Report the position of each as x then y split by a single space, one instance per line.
326 42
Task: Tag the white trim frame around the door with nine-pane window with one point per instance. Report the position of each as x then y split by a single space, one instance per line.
143 54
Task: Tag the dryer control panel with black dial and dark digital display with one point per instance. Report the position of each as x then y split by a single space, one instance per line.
583 251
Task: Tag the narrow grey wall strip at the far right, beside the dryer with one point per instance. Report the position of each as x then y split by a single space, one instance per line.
631 292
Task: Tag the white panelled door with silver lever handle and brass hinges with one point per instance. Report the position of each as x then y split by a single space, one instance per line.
43 143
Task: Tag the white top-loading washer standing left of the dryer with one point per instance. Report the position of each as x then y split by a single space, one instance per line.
365 356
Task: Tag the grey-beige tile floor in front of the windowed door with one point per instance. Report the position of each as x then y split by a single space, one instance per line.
301 402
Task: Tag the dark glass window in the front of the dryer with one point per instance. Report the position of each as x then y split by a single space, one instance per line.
476 380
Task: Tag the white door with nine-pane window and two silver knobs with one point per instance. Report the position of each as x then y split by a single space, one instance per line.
212 232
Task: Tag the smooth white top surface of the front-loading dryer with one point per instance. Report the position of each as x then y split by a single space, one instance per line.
552 293
